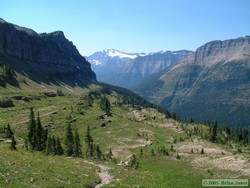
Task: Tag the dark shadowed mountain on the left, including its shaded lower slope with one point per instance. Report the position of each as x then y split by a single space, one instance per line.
44 57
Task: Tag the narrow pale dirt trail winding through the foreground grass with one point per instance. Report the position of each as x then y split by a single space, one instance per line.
106 178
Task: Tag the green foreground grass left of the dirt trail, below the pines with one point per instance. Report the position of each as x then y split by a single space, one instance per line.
25 168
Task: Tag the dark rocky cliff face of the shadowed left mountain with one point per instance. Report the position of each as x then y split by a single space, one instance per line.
52 51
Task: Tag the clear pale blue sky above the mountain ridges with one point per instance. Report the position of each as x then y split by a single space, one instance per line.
133 25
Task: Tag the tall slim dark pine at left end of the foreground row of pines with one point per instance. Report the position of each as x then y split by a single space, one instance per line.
32 130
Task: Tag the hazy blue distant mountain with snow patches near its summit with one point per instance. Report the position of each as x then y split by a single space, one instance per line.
129 70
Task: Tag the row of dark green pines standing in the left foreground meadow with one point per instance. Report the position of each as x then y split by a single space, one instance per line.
40 140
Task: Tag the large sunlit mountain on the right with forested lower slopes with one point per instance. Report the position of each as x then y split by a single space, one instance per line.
211 84
